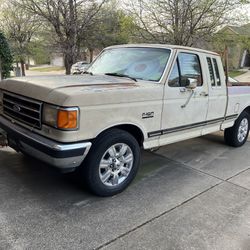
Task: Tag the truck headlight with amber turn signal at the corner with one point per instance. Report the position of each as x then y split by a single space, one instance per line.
61 118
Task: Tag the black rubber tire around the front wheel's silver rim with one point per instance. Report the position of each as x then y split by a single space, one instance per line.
89 170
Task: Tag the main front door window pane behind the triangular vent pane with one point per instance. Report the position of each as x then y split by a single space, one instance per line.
190 68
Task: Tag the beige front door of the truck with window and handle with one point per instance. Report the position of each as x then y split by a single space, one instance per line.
184 111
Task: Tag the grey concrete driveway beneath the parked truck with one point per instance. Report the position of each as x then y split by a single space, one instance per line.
190 195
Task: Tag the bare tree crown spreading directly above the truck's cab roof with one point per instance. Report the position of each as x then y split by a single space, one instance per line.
181 22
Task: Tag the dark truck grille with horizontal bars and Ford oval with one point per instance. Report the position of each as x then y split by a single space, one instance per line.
22 109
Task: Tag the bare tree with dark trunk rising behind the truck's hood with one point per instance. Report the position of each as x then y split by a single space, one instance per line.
69 19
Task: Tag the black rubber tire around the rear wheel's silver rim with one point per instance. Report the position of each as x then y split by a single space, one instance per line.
231 134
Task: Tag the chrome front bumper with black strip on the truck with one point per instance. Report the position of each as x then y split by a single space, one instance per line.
60 155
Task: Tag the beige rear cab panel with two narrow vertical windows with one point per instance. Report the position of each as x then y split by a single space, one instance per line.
217 94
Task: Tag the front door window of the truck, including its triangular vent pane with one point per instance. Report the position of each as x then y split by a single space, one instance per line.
186 67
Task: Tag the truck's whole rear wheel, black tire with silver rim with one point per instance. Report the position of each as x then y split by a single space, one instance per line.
237 135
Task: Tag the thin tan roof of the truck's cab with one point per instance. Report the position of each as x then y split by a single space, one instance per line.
165 46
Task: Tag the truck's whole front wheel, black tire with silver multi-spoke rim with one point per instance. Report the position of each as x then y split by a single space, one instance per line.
112 163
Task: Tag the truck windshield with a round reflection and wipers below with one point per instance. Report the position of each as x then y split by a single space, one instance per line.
139 63
